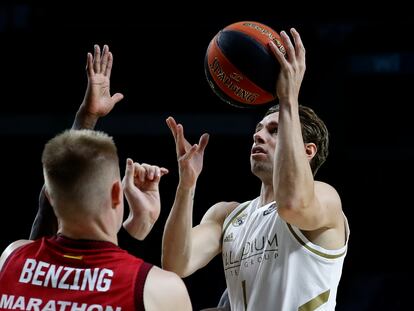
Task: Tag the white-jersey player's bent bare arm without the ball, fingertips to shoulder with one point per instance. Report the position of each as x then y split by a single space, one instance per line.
186 248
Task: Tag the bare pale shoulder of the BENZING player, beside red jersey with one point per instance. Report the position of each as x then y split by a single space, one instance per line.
165 290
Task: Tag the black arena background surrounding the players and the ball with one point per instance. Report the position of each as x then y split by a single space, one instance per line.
360 69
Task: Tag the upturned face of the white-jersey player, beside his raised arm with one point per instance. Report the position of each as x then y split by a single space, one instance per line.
264 142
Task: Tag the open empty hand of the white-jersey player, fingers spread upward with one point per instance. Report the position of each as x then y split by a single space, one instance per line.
190 157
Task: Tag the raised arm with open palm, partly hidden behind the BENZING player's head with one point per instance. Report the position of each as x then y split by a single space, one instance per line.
97 103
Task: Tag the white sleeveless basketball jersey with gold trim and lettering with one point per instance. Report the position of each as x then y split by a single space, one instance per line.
271 266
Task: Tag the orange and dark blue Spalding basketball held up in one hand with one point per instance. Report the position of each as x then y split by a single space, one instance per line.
239 65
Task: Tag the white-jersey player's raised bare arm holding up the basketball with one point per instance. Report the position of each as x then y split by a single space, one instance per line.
302 201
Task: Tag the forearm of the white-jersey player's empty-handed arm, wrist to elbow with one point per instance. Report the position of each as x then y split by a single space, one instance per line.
176 243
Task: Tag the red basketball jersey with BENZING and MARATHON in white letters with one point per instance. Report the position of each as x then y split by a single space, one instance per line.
62 274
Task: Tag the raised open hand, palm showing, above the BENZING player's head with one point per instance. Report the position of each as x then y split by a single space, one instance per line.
98 100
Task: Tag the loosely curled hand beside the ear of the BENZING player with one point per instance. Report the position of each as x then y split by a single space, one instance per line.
141 188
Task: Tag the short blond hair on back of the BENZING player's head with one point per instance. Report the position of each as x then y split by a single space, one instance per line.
79 165
